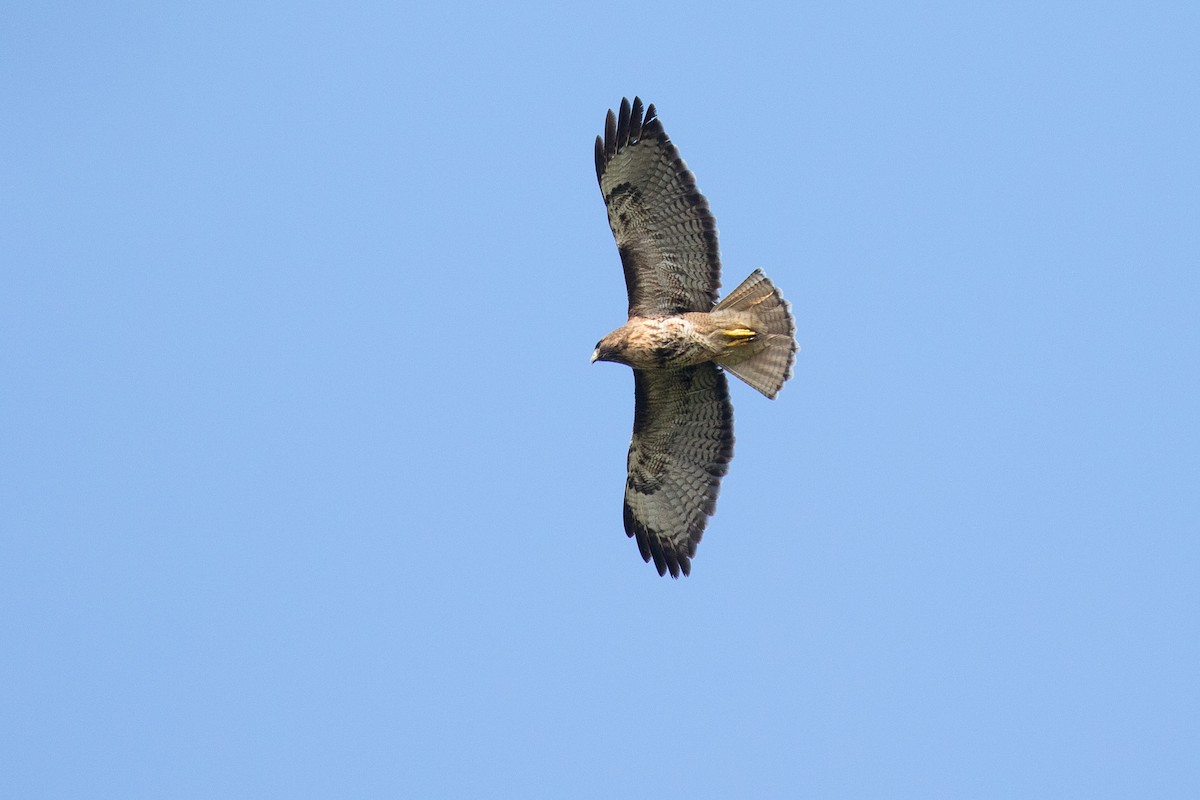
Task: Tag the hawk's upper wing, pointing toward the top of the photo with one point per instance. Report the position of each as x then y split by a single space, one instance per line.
665 233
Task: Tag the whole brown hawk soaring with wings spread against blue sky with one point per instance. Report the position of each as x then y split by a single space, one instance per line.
680 340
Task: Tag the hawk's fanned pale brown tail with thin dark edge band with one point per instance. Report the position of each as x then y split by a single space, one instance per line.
767 362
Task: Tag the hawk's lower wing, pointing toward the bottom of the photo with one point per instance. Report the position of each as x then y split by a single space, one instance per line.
682 446
